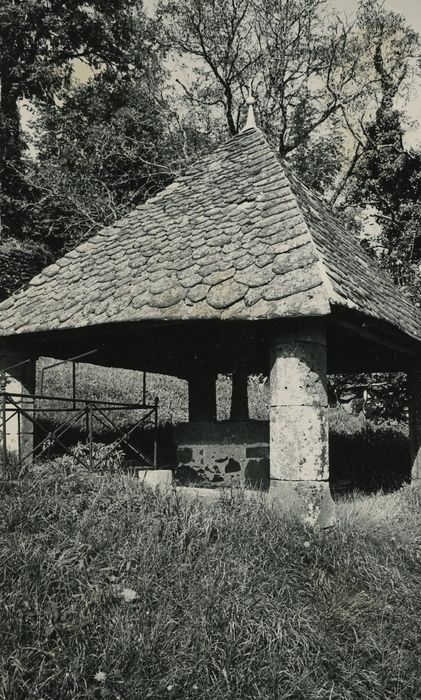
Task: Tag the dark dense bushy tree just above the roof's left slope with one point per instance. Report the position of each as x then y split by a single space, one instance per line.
109 145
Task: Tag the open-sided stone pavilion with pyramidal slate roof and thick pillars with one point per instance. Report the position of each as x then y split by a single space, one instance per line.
237 268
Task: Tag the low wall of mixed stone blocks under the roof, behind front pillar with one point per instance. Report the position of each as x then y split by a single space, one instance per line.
223 452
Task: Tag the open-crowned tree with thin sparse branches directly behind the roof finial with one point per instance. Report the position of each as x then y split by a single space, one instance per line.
302 60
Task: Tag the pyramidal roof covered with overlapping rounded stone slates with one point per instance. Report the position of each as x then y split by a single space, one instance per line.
237 236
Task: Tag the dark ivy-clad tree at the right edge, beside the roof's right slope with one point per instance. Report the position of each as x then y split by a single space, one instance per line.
386 176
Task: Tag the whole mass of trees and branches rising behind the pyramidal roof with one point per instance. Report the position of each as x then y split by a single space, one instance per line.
163 89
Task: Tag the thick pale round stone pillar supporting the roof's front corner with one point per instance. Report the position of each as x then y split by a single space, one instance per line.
299 454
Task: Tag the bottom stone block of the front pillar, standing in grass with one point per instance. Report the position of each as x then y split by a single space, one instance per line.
311 501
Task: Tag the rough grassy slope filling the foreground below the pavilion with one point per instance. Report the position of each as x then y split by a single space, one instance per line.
110 591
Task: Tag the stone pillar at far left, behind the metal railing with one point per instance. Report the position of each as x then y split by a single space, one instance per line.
17 380
